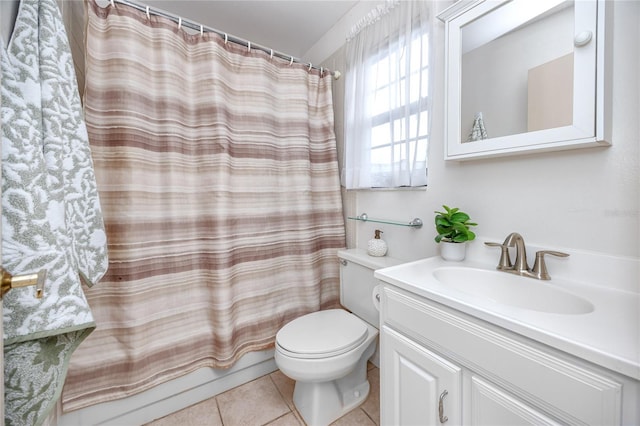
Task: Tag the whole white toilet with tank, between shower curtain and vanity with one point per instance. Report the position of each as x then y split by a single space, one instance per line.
326 352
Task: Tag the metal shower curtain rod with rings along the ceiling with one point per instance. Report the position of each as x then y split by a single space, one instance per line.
227 37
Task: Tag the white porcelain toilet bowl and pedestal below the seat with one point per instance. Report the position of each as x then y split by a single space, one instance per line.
321 403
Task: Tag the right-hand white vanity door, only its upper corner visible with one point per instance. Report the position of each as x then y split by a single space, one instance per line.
493 406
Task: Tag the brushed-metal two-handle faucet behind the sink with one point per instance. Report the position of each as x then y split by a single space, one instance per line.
521 267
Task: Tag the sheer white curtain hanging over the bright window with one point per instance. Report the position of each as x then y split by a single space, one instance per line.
387 97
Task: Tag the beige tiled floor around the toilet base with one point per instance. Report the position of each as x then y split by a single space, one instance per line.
267 401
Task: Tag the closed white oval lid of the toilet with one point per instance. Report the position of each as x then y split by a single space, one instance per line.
322 334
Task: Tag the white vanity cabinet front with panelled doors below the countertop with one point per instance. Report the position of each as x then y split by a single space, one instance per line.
433 356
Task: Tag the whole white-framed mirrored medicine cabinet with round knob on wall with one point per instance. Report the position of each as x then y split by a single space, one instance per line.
524 76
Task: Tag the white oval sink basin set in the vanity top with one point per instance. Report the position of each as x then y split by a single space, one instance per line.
512 290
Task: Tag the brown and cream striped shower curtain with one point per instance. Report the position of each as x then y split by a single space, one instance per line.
217 171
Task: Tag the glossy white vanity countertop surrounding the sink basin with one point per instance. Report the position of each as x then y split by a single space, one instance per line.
608 336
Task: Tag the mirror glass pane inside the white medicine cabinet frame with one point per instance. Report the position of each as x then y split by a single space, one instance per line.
521 80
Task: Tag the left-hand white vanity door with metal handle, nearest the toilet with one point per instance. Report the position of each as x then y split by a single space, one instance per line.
417 386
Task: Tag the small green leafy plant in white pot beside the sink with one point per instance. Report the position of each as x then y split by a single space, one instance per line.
453 230
